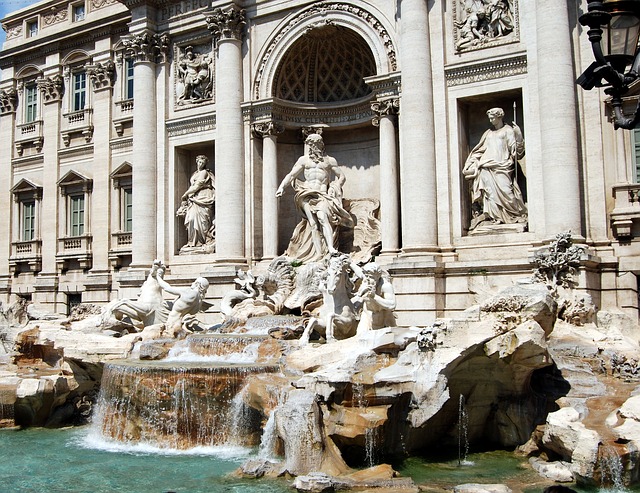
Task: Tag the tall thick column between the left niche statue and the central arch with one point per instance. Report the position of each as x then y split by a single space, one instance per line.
226 25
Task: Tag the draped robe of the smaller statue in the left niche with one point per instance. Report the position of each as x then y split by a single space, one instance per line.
198 215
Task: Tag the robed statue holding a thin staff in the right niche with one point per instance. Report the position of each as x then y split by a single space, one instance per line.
496 198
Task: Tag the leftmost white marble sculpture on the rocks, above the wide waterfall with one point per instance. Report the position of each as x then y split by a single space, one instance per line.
147 310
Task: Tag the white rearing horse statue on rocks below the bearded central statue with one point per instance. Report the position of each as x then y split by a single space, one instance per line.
337 317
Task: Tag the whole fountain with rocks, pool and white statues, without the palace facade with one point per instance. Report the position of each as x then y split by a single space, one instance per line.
308 382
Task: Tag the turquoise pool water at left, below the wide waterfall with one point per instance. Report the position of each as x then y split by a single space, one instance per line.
69 460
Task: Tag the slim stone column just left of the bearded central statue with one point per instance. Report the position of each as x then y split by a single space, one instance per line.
269 132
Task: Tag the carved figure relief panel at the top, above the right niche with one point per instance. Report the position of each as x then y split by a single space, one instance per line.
484 21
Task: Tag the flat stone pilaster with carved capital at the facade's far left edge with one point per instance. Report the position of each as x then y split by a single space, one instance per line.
8 103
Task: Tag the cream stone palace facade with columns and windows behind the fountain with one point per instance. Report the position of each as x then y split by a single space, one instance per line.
105 105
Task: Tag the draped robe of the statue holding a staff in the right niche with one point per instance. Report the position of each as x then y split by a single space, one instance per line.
491 166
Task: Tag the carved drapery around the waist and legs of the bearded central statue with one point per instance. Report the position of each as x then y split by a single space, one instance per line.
301 246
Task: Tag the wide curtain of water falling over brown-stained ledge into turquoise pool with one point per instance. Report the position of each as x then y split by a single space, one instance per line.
179 407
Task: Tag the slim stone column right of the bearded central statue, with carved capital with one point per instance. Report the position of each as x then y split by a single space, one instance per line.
385 117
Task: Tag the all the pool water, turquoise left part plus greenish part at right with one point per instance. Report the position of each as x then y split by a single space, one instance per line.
72 460
